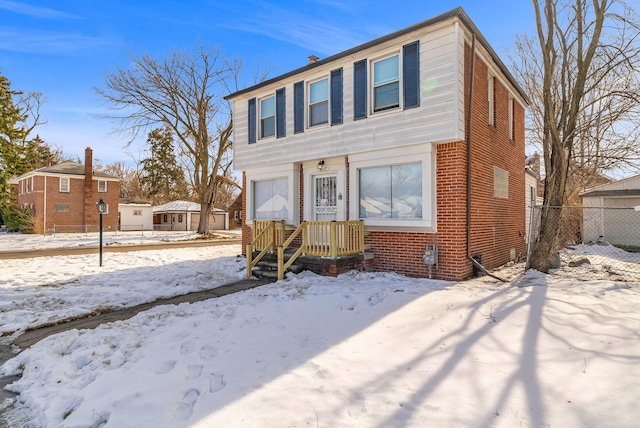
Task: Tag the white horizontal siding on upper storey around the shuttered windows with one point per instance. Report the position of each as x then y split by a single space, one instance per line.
439 118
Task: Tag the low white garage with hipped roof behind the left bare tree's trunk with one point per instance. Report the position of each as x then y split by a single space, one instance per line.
185 216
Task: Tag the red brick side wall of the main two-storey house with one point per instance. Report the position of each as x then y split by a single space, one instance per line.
497 224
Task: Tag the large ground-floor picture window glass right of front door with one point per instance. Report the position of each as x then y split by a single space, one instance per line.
391 192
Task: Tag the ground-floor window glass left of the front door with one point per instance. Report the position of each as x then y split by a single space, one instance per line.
271 199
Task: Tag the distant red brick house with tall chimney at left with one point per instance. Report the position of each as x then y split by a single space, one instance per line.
64 196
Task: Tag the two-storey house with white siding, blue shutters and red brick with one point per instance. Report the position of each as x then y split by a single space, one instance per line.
384 132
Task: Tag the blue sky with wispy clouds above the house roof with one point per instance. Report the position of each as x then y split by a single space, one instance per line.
64 49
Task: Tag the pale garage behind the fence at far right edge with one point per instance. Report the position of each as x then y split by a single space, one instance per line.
613 217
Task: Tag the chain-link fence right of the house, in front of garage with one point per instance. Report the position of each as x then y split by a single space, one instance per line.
602 242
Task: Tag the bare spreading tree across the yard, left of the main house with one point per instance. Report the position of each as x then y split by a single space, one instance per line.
185 92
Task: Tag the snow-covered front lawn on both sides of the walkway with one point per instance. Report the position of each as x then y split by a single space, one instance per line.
360 350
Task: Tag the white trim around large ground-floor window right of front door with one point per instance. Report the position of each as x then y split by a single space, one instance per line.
398 156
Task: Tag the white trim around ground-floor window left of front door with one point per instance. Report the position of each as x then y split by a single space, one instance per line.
289 171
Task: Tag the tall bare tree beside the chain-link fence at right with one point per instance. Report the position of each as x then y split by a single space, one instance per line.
584 93
